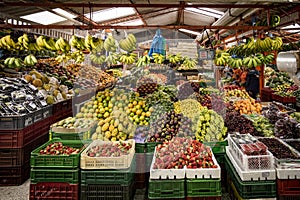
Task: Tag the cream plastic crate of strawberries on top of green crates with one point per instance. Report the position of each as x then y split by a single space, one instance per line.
108 155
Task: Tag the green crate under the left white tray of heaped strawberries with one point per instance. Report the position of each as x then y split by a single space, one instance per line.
165 189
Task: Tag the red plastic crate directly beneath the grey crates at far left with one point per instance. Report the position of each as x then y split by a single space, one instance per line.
20 138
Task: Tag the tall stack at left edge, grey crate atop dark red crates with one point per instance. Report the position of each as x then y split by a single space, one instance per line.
19 135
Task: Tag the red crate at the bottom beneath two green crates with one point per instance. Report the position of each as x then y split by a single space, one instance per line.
54 190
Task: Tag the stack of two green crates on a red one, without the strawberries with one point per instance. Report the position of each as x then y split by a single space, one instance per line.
55 176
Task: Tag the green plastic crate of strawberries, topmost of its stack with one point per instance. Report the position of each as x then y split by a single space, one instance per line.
57 153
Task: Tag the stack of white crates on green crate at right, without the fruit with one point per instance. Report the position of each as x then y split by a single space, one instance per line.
249 177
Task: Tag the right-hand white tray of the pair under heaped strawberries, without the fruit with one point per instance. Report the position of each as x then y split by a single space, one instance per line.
202 173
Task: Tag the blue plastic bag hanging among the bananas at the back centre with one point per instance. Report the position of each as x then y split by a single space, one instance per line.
158 44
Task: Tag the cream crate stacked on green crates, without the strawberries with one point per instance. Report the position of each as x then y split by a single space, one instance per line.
107 177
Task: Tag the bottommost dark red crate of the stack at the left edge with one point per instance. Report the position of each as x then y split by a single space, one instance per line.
14 175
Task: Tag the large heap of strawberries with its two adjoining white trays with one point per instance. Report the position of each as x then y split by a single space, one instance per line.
184 157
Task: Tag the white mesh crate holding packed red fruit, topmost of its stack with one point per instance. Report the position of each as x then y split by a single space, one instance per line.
250 153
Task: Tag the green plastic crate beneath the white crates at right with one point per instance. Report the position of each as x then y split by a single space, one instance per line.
250 189
